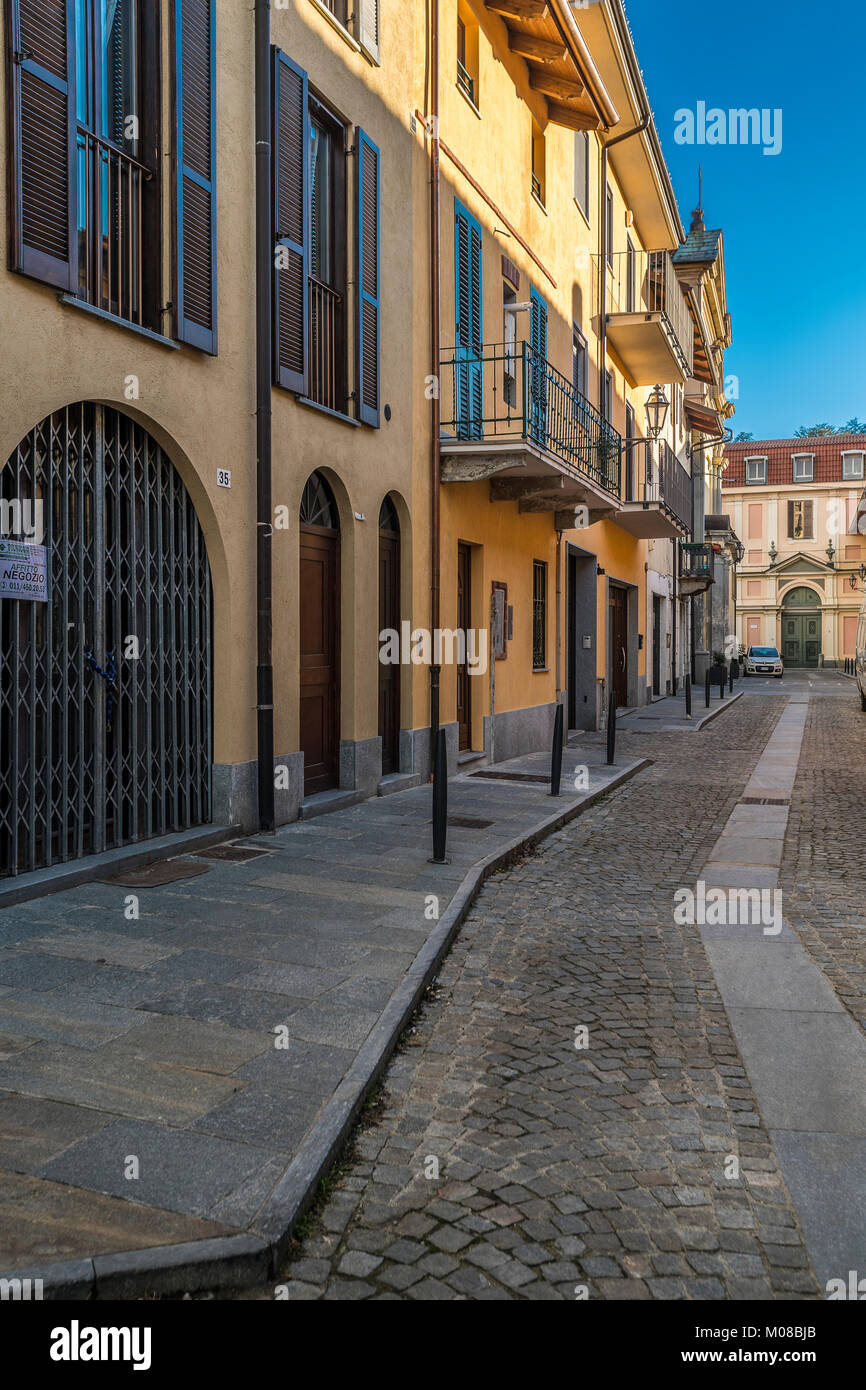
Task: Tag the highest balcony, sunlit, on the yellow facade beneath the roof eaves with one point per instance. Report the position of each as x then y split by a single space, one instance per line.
650 326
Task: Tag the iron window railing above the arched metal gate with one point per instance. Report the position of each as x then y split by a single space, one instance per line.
111 187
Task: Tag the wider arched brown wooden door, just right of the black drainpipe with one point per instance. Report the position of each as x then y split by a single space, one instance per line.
319 636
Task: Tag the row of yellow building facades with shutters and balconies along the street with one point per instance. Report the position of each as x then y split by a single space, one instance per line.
261 454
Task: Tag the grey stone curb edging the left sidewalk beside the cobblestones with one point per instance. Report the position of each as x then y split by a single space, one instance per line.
233 1261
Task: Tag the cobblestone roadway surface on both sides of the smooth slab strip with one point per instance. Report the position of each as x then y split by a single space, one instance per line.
501 1160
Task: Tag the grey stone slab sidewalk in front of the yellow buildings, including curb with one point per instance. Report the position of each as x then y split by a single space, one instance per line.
149 1122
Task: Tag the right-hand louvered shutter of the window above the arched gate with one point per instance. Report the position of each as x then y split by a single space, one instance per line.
195 162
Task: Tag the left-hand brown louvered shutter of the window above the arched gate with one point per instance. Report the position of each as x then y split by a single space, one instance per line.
42 141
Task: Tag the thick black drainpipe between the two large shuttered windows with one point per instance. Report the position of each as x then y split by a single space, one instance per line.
265 255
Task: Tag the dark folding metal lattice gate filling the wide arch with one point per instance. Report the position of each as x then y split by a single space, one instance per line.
105 689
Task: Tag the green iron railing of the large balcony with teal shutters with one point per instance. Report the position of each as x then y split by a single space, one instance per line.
503 391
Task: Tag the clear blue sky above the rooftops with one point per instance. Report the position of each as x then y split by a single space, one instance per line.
796 223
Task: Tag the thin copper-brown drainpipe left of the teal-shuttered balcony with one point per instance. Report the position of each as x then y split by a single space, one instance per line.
436 366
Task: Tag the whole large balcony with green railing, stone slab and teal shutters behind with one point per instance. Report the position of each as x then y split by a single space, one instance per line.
511 416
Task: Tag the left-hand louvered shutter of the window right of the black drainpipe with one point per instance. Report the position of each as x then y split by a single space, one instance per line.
291 145
